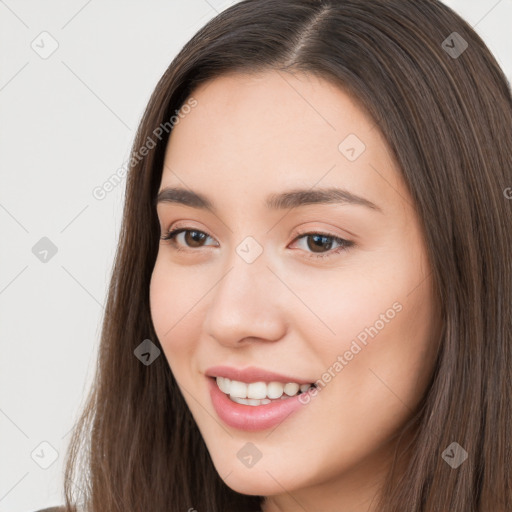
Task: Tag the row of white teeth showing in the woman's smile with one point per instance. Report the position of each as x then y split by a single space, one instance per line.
258 391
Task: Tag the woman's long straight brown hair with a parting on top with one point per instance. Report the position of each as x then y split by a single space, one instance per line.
444 106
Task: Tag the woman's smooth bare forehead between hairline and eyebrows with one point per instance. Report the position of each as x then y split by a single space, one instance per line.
252 135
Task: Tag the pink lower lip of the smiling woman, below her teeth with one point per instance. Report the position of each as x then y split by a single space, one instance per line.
253 417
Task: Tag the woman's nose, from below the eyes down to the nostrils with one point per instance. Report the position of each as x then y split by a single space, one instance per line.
248 303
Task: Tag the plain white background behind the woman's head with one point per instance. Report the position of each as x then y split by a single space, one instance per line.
66 125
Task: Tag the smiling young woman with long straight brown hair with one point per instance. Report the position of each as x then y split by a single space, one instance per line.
243 366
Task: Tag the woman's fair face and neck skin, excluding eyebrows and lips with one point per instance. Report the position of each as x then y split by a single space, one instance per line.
250 136
